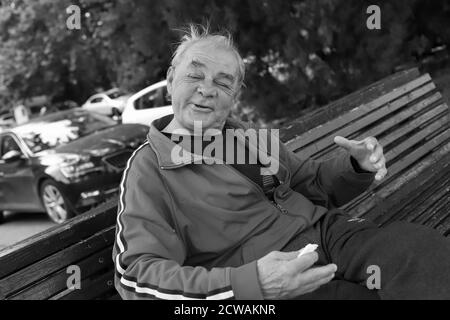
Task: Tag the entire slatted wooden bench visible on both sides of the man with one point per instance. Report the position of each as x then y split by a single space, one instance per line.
404 111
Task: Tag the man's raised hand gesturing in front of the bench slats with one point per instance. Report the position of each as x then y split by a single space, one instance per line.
368 153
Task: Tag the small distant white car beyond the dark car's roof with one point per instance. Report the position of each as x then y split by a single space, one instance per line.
110 103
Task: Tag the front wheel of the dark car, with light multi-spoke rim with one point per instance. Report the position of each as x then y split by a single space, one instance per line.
55 203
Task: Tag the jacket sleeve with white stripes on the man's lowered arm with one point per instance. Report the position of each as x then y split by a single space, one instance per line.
149 253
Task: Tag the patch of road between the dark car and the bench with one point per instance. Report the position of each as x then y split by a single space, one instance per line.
21 225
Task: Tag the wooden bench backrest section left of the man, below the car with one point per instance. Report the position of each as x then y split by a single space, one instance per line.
36 268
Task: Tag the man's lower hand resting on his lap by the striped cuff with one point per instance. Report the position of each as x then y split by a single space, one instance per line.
284 276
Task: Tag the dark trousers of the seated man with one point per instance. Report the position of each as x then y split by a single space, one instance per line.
413 261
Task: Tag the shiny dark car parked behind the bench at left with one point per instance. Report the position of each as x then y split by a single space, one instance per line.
65 162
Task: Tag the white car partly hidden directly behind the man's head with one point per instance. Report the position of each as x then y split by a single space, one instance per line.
147 105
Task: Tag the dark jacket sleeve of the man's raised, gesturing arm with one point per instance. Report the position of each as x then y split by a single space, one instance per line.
330 183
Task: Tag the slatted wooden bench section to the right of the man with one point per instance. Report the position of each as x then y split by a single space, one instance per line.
411 121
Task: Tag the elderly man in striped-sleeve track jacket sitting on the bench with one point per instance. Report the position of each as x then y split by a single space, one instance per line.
189 227
